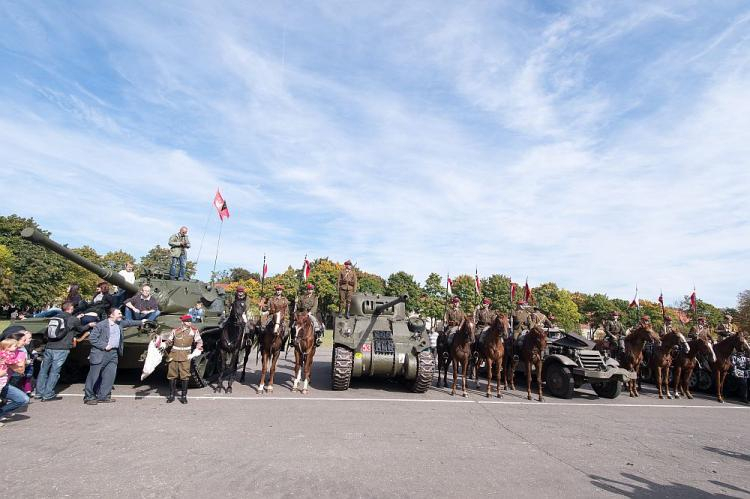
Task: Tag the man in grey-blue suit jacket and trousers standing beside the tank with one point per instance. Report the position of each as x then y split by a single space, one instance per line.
106 349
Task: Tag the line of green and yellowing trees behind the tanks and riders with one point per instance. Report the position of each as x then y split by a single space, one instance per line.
31 276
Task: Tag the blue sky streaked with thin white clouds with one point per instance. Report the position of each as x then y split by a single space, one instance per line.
599 145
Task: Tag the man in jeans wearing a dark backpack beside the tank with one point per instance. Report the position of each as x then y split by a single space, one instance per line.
56 352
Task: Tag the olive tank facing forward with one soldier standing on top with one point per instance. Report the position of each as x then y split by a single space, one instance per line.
378 340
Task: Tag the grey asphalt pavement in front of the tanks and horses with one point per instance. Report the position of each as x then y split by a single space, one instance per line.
374 440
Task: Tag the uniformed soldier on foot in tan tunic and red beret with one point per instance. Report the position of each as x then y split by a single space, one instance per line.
180 352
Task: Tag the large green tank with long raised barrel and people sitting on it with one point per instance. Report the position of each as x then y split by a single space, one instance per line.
175 298
